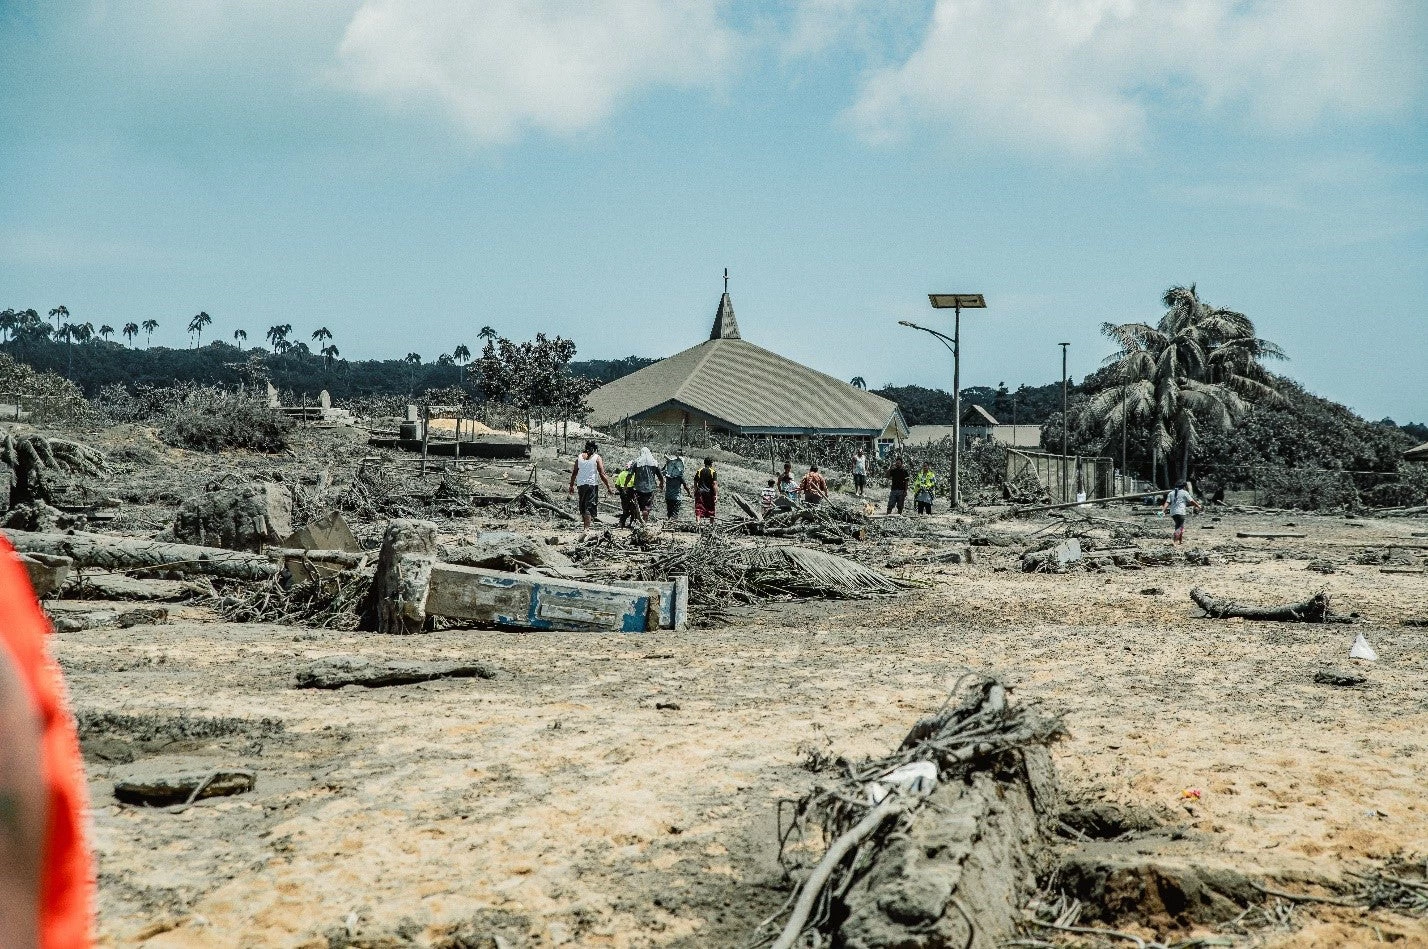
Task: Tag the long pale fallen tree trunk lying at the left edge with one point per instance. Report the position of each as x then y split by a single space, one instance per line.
125 554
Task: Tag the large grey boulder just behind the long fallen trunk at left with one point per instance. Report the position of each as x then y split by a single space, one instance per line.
238 517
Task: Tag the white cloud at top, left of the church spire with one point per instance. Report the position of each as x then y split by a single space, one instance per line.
503 68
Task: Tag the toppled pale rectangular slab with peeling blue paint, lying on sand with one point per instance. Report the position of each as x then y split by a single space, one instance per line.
536 603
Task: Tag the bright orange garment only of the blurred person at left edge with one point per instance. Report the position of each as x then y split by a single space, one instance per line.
68 877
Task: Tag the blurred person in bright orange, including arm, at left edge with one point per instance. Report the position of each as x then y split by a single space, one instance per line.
46 873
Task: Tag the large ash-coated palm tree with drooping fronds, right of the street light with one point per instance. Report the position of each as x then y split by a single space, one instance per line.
1195 372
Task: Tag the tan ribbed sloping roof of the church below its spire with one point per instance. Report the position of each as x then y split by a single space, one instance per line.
748 389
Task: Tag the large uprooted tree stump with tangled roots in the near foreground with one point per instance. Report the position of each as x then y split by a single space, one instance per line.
917 868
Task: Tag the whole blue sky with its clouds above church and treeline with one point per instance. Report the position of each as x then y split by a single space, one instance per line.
406 172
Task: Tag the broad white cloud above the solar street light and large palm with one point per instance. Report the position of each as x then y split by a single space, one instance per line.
1092 76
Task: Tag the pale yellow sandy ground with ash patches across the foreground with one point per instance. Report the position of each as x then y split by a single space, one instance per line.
622 790
